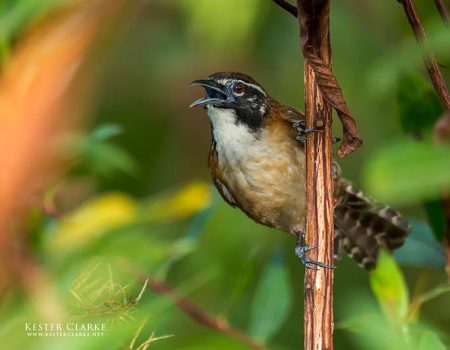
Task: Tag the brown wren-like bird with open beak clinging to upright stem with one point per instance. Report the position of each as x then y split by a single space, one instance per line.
257 163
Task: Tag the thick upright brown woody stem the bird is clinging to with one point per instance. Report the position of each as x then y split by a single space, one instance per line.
315 39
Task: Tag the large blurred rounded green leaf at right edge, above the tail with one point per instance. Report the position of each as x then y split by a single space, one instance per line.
408 171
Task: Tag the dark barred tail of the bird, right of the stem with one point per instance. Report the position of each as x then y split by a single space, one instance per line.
363 226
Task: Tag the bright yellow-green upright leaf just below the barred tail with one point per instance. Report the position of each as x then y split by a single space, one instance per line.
389 288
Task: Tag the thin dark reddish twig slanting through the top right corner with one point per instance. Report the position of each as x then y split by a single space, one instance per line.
430 59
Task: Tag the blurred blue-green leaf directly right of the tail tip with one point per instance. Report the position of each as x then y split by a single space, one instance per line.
421 248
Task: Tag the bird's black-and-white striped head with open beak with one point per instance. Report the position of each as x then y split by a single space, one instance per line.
237 94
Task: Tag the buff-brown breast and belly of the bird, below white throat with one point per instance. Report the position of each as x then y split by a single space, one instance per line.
267 178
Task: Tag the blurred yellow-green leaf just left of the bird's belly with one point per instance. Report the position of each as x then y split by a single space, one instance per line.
191 199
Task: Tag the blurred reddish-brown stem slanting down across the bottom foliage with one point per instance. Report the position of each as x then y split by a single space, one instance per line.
202 316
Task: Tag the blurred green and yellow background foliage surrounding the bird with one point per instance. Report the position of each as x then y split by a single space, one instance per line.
136 199
